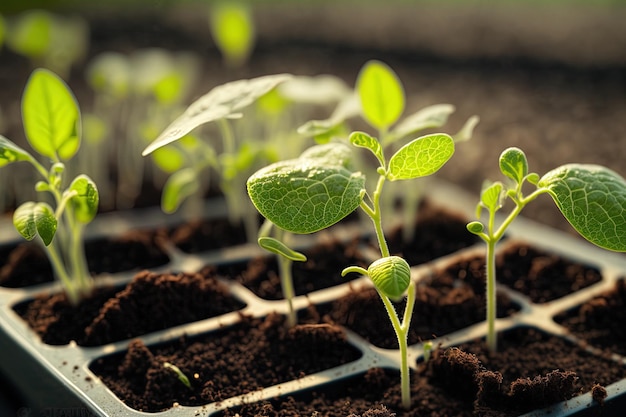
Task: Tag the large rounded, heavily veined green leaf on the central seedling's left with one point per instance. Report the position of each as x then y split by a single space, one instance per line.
309 193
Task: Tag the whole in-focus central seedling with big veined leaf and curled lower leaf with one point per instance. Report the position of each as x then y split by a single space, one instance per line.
321 187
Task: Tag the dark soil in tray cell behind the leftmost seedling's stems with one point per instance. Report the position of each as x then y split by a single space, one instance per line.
27 264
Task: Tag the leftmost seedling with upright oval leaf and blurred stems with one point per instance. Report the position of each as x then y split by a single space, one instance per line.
51 119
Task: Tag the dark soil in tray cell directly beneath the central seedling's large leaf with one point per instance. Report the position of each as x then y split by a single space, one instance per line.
322 269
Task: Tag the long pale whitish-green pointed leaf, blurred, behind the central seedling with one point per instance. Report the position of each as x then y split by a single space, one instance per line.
223 101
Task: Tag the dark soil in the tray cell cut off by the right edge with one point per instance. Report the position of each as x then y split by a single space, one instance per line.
600 321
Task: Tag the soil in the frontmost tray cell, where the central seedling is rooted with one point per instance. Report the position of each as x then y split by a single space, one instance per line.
531 370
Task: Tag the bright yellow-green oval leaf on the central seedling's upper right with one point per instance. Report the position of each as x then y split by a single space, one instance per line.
421 157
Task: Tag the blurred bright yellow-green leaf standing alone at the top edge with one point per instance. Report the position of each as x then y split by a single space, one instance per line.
233 31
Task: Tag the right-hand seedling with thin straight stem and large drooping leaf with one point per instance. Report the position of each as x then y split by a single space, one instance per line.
592 198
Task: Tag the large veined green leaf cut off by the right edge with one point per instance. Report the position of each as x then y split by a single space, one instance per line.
593 199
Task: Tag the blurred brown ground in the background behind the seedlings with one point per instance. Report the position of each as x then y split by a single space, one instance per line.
548 78
